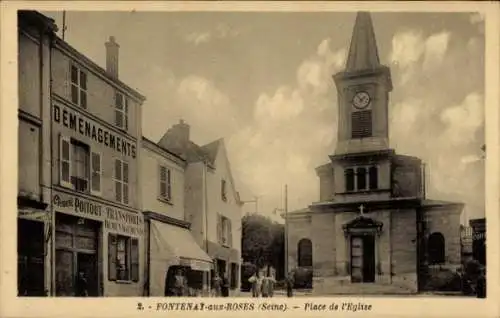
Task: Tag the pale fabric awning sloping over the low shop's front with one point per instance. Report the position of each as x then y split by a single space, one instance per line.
170 241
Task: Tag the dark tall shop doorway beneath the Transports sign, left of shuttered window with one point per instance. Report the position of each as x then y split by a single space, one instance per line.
77 256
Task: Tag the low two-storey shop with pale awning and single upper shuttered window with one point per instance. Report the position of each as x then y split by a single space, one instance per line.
170 246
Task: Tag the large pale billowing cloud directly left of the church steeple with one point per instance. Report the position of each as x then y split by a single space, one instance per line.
292 132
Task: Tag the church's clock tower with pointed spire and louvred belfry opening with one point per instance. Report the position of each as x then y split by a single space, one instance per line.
363 94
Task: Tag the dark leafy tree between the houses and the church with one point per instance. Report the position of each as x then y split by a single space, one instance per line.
262 241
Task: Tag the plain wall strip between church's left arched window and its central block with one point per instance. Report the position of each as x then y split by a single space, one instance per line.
324 239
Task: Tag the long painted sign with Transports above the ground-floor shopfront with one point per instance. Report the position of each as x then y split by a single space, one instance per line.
115 220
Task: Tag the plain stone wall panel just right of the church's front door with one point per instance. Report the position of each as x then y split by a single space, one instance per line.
404 248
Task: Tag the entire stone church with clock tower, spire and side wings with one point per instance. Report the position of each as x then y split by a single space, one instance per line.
373 230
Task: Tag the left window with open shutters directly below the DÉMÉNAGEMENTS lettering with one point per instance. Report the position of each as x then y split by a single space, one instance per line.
80 168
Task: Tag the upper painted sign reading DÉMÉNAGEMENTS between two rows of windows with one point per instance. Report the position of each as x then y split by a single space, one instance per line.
70 119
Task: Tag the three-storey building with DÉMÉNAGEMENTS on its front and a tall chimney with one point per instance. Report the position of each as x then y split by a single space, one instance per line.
95 201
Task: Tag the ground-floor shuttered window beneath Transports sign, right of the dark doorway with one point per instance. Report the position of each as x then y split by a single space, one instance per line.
123 261
